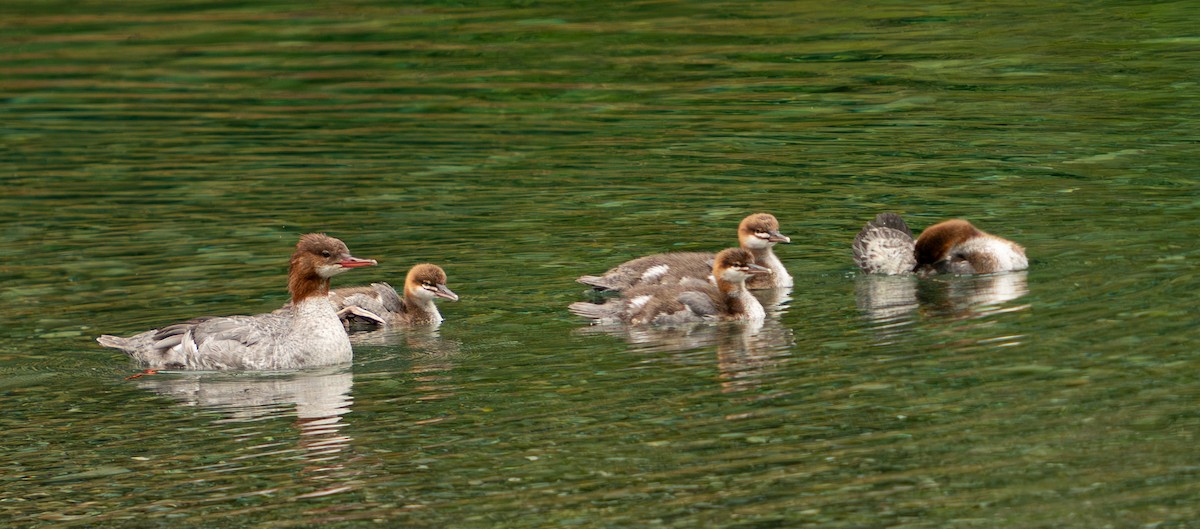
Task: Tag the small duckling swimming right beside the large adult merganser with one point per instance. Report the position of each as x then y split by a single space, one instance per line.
380 305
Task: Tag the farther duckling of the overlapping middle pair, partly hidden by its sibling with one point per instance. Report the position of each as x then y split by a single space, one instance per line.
758 235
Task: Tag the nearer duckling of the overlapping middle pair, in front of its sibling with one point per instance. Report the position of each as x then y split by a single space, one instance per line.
691 300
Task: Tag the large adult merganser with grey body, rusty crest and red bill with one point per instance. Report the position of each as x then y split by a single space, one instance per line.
303 335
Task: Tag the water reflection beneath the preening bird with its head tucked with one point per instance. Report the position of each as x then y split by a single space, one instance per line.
891 303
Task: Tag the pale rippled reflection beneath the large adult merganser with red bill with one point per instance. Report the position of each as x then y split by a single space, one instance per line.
317 400
